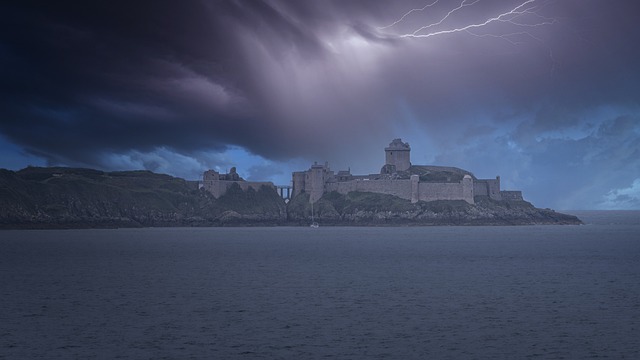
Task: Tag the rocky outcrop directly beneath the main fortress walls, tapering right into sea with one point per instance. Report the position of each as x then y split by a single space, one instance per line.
371 209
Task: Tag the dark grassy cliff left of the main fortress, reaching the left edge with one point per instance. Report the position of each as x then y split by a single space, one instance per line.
76 197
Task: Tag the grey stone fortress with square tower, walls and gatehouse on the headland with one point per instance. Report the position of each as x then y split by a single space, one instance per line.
397 177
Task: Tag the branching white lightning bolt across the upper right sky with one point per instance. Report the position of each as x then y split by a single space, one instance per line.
514 17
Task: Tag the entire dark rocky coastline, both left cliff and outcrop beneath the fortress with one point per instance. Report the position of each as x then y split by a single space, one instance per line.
57 197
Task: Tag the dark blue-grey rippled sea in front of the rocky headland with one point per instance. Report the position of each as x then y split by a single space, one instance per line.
548 292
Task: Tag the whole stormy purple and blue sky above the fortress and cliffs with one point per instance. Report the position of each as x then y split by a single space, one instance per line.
544 93
